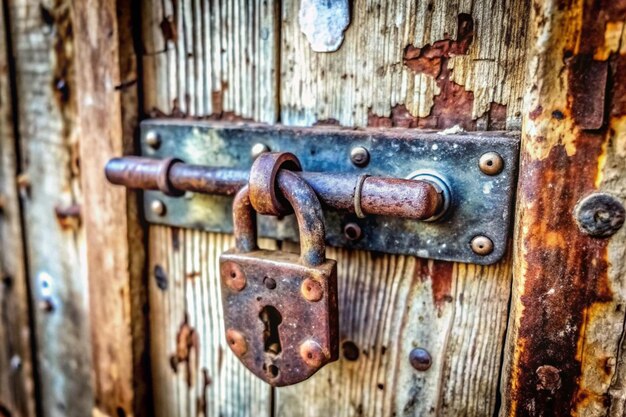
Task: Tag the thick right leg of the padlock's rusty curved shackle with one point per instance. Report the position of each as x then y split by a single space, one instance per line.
308 211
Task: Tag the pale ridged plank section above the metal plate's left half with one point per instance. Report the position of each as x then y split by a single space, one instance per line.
214 59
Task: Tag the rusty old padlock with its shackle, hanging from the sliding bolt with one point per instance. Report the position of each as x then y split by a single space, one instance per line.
280 309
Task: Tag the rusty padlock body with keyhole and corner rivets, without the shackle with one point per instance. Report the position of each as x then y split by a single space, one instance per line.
280 316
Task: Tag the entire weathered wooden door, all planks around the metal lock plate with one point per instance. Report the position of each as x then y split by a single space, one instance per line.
537 334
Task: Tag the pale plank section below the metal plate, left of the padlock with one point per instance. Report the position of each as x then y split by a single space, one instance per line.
194 371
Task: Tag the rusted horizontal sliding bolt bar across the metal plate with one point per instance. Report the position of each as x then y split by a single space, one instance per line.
411 199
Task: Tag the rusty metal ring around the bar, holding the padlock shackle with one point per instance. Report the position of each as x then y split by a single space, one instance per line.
262 182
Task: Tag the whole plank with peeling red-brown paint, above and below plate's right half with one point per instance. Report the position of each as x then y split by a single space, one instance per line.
410 64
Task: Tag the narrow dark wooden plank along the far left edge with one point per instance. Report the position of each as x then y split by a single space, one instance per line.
17 385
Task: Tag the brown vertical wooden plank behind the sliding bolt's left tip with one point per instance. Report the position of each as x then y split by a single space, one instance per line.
107 120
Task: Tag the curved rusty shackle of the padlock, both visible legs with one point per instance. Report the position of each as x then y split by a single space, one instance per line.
308 211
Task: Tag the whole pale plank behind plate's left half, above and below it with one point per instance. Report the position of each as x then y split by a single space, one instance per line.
219 60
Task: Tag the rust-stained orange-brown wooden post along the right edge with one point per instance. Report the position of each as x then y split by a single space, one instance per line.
564 351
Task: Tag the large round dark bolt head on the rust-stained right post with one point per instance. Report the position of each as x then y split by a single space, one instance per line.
600 214
